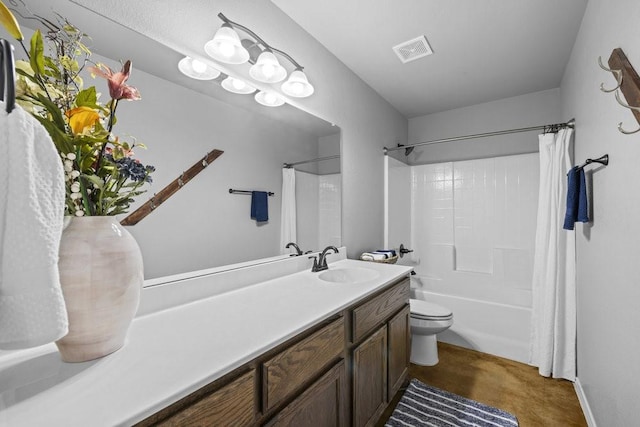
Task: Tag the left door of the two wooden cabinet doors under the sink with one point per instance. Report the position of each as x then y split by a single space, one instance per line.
370 378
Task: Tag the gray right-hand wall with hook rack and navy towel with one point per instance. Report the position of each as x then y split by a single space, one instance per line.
608 248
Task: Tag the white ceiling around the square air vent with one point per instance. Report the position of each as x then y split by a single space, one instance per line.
484 50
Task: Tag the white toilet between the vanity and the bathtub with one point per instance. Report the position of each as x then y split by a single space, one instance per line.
427 320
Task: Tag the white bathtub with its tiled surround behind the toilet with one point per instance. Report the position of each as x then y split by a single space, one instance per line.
473 230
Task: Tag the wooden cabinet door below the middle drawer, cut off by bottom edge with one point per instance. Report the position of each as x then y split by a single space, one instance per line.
321 405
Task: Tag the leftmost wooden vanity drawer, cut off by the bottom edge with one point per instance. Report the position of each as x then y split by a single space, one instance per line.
232 404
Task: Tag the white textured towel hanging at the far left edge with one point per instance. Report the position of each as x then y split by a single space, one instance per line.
32 197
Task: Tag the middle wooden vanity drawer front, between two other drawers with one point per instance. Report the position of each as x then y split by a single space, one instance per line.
304 360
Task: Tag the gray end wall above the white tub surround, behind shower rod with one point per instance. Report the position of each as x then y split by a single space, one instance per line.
534 109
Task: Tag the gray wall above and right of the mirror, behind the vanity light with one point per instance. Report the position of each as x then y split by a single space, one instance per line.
367 121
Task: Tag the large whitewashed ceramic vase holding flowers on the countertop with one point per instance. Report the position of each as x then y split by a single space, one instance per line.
101 275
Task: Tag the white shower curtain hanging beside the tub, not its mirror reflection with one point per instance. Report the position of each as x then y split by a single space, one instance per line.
553 322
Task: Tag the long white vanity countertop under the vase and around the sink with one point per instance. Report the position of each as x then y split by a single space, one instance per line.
173 352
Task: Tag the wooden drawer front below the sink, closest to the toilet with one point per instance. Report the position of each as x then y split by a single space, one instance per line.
377 310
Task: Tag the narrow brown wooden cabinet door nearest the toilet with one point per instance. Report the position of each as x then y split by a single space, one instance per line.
399 349
